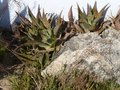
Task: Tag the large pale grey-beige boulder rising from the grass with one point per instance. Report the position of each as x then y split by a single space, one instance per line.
100 54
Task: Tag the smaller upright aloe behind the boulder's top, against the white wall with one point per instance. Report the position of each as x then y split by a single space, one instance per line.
91 20
